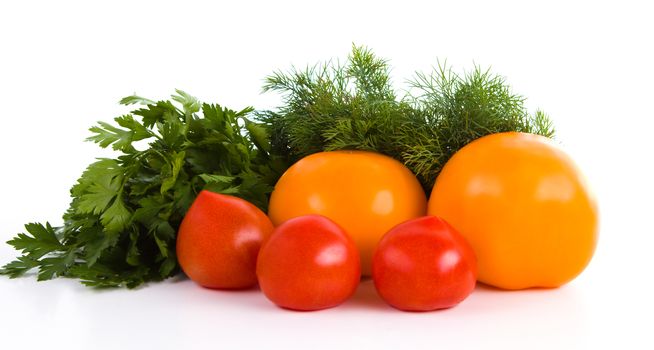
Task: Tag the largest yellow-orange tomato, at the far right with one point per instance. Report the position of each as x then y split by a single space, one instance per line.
524 207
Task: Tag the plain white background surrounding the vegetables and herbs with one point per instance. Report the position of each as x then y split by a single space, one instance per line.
65 64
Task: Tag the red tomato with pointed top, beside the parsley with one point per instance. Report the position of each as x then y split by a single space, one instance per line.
219 239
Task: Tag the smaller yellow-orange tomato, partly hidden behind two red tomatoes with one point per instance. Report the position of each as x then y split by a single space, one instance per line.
364 192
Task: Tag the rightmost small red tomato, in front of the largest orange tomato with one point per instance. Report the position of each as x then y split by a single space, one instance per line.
424 264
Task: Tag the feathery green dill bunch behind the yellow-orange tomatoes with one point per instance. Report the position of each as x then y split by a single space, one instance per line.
336 106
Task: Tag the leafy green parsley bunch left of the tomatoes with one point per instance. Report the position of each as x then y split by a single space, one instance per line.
121 226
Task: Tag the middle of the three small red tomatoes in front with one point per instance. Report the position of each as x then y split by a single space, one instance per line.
309 263
